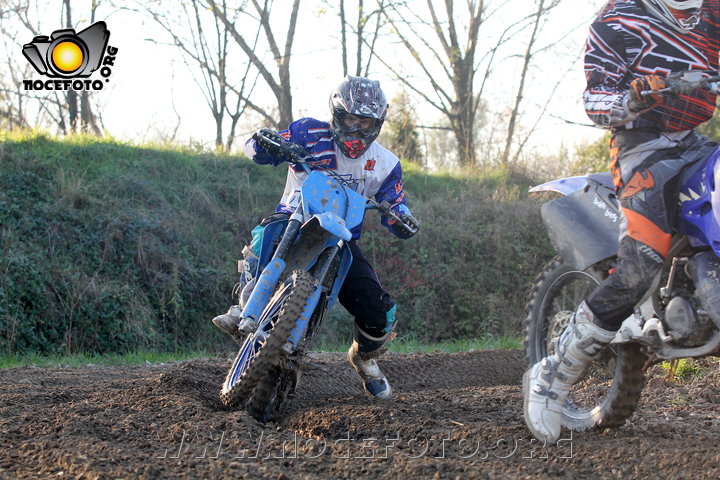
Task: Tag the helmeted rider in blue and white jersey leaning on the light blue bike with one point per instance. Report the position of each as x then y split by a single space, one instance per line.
346 145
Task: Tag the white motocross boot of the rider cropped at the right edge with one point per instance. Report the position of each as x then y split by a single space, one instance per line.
547 383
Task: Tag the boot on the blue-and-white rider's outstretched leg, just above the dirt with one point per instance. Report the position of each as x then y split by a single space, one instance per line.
362 356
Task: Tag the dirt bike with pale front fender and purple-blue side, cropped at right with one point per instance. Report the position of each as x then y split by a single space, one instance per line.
678 317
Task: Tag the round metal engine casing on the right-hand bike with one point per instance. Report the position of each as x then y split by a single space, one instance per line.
687 327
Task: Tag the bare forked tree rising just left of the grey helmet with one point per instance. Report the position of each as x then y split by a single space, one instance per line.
278 83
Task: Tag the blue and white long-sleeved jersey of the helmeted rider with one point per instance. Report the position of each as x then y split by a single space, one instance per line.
376 173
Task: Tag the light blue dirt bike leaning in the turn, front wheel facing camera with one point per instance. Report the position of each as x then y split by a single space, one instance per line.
305 262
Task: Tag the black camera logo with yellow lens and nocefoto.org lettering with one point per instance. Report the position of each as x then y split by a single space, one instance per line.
67 55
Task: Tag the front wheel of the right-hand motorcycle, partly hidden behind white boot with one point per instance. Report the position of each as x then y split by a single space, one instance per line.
611 386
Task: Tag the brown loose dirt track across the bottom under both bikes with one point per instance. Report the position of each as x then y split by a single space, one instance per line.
452 416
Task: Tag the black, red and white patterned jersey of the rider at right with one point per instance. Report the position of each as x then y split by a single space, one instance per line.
627 42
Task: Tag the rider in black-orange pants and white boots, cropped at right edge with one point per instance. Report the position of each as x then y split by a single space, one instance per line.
633 45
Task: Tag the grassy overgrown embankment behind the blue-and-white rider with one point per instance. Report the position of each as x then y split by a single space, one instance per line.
109 247
